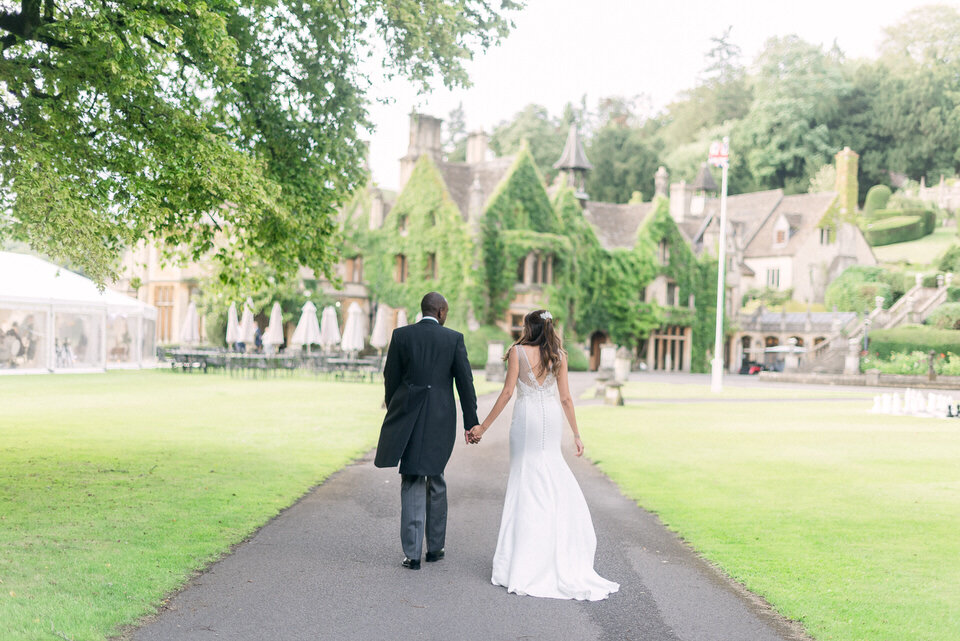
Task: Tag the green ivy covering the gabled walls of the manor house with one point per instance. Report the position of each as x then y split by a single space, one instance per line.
593 288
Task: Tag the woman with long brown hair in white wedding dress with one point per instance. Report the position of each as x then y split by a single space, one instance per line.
546 543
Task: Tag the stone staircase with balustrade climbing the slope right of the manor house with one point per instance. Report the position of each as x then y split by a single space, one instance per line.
841 351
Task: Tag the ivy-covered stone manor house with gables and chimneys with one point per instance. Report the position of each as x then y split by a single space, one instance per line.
500 243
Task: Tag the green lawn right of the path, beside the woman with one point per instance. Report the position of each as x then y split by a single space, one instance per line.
846 521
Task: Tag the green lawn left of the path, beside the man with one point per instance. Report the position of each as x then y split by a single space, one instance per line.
115 487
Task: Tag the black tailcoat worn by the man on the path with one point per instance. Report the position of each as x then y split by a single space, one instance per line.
420 427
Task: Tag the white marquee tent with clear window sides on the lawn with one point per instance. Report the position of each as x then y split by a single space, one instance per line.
53 320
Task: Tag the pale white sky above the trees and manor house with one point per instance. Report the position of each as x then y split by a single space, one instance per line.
560 50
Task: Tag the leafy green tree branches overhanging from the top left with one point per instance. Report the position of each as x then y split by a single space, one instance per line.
169 120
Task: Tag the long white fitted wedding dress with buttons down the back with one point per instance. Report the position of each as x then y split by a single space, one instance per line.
547 542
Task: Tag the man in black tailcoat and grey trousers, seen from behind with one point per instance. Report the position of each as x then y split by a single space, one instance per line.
419 429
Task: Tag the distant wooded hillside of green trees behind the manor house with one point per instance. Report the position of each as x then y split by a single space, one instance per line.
787 113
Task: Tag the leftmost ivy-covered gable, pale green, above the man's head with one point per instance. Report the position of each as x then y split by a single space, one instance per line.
424 222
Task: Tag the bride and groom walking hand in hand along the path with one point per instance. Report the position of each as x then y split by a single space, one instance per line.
547 542
